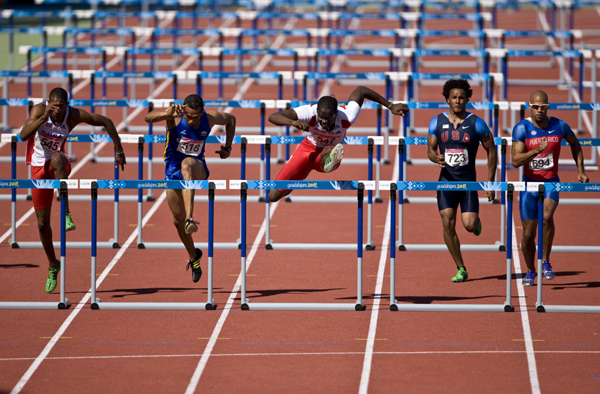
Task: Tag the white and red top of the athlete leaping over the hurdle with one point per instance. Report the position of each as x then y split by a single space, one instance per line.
346 116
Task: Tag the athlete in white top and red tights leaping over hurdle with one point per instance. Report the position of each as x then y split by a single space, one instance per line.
326 125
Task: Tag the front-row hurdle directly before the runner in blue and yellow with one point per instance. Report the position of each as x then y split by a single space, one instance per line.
94 185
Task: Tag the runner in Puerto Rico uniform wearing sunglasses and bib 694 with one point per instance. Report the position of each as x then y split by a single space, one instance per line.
536 146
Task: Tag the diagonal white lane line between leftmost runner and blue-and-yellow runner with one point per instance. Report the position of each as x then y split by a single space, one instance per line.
34 366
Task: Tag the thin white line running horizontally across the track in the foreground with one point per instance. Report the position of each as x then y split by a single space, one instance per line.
302 354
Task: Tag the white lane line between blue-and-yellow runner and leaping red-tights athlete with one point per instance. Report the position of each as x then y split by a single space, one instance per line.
214 336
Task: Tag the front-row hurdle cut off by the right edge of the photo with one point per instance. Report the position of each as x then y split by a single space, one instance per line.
542 187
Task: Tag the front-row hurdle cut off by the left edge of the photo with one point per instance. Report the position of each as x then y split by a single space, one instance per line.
13 184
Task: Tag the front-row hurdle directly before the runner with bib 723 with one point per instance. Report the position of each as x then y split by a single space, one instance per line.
400 186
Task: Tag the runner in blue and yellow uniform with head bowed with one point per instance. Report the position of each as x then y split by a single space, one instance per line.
188 126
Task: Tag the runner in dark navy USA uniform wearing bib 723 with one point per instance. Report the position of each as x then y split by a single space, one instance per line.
458 133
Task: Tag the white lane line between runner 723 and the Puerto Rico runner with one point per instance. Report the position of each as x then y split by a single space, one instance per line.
533 374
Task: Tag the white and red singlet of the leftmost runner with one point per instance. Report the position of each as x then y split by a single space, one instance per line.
48 139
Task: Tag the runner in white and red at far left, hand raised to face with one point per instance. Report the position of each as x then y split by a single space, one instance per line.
46 131
